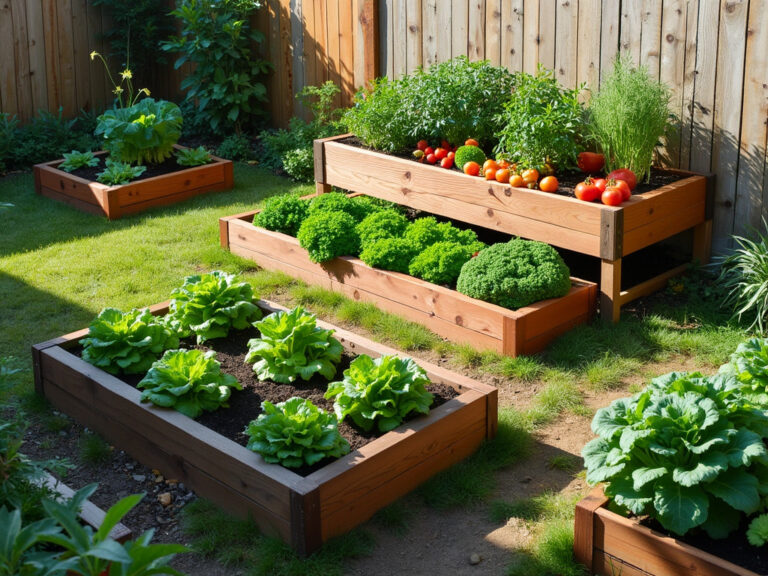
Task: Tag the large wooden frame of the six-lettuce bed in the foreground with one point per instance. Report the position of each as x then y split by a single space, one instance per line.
303 511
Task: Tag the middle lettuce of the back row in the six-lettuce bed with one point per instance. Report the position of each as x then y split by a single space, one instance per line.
292 345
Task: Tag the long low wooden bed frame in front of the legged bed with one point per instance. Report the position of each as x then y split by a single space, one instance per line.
444 311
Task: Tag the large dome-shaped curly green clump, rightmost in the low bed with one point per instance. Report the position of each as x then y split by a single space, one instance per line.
515 274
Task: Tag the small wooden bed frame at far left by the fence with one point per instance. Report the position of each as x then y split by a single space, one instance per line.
117 201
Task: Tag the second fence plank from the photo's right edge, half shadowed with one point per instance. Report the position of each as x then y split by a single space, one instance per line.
728 99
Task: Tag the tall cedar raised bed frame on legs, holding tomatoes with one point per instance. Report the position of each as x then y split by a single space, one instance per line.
605 232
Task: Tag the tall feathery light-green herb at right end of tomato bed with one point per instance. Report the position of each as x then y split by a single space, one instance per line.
628 117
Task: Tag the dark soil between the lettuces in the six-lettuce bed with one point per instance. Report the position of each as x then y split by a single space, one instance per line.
245 405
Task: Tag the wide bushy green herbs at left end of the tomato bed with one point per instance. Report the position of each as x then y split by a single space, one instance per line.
453 100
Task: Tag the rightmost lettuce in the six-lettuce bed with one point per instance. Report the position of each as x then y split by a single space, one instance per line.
380 392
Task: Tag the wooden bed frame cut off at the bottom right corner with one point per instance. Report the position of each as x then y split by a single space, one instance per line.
607 543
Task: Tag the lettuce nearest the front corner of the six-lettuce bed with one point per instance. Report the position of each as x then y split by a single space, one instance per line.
295 433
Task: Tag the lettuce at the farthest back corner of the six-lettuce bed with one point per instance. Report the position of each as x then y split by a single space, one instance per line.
209 305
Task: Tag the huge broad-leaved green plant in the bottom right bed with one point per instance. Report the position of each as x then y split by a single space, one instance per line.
688 450
